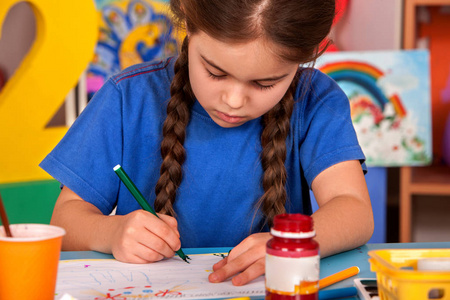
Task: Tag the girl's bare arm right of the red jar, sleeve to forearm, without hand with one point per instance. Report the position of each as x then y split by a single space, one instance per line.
344 219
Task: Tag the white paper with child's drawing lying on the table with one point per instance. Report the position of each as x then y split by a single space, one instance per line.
170 278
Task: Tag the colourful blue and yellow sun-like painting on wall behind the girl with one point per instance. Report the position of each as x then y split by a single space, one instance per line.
130 32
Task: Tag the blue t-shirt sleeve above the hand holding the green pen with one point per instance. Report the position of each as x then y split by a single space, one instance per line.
84 159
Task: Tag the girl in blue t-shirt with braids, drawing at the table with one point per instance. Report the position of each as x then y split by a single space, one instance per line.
219 140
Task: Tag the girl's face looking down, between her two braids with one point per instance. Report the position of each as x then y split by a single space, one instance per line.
236 83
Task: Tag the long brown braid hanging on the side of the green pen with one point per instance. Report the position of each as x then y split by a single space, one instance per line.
174 132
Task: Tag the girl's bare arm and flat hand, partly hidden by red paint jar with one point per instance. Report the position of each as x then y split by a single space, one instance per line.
343 221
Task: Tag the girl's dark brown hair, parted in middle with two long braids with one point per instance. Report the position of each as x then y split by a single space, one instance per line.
296 28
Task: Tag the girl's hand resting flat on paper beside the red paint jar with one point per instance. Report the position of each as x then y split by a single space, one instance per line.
247 259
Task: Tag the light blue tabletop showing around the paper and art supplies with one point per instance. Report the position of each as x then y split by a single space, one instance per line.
329 265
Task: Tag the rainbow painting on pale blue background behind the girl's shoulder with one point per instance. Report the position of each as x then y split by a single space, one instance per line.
389 93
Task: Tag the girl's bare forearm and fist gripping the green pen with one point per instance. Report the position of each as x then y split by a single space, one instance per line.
138 237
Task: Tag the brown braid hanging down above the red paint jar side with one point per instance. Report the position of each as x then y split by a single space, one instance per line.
276 125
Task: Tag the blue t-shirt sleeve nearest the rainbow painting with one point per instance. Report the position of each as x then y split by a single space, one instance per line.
328 135
